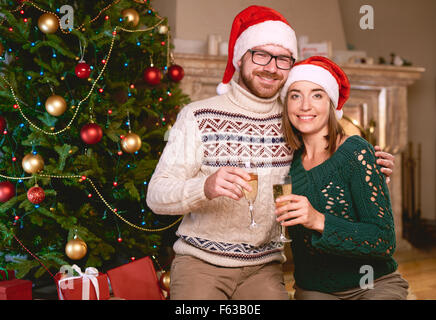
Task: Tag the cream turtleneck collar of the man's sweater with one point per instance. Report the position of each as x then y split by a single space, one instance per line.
249 101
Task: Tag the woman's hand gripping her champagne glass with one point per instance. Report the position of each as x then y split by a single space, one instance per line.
298 210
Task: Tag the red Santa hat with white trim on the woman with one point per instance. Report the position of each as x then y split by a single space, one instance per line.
325 73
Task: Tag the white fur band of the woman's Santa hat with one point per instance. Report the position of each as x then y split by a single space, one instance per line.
315 74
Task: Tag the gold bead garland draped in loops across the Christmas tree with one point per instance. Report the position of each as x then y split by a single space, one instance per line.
53 132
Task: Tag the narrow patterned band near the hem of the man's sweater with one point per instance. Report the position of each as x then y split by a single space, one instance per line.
240 251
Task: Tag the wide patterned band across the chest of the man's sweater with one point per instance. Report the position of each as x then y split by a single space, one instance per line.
234 138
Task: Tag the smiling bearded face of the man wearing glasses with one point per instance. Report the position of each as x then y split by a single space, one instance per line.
263 81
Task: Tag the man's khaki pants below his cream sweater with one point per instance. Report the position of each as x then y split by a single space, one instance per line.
194 279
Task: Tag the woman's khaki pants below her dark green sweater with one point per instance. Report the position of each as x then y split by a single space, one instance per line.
389 287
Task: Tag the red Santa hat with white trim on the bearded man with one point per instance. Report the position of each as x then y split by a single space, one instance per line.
256 26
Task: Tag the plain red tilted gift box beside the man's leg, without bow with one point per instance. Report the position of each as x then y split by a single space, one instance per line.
136 280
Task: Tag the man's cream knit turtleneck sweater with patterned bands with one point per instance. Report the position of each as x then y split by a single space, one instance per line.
226 130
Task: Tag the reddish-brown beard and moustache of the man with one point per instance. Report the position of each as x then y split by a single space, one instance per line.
264 91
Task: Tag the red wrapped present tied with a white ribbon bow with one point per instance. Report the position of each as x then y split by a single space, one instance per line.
77 285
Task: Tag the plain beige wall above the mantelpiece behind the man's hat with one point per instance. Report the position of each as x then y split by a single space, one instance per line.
195 19
